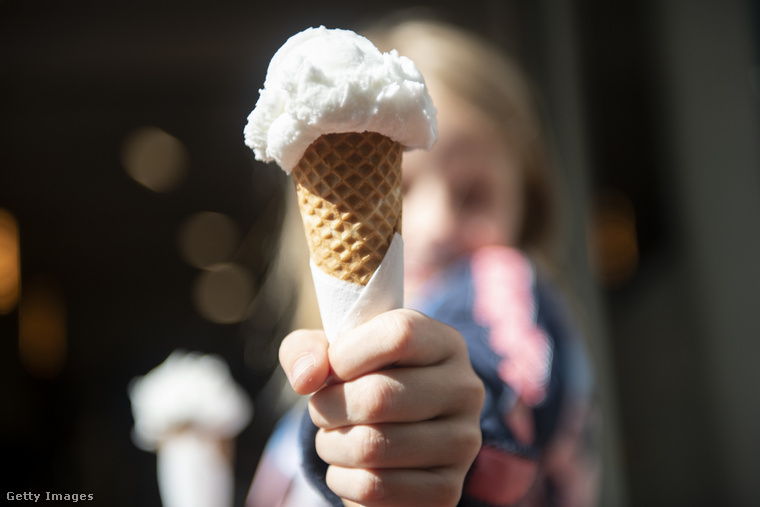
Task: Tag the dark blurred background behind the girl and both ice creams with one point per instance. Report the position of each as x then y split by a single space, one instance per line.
654 114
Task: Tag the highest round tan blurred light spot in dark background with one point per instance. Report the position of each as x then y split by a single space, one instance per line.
154 158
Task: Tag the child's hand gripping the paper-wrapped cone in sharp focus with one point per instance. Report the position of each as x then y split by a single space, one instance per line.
399 417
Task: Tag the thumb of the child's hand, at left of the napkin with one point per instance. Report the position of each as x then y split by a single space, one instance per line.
303 356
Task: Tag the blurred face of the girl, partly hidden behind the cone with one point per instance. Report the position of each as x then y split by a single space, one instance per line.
463 194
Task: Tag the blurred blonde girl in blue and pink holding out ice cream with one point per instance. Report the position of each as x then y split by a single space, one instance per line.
478 231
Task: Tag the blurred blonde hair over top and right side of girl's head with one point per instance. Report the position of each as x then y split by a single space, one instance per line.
487 78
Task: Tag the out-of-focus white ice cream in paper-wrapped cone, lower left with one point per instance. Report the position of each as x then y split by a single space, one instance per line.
189 410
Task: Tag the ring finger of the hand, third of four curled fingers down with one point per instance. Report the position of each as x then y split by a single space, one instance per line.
400 445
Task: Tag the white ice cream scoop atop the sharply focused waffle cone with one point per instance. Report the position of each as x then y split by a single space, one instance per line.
324 81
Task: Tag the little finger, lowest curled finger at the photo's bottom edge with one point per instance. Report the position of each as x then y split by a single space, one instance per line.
396 487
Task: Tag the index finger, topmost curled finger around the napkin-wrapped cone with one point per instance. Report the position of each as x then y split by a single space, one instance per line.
398 338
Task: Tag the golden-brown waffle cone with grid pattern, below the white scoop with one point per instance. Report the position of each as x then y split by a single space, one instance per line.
349 194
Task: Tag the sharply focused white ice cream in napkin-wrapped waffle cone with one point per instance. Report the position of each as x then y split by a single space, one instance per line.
336 113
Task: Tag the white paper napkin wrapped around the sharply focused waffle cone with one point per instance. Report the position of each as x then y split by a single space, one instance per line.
344 305
